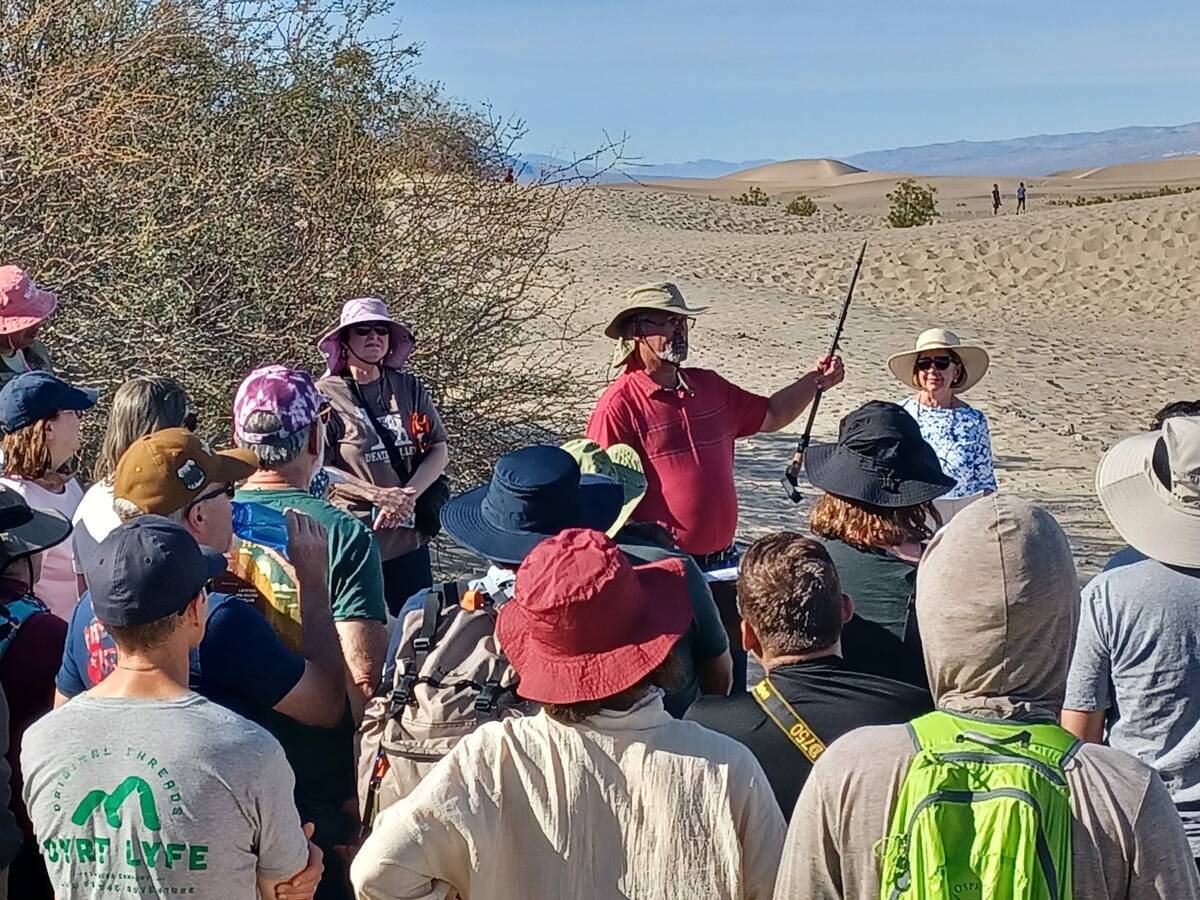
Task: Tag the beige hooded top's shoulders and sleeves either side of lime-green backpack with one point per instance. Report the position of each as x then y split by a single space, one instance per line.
1127 842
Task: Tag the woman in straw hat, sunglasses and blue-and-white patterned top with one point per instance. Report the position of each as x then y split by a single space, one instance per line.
941 368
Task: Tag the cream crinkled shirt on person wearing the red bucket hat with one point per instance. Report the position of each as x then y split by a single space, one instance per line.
628 805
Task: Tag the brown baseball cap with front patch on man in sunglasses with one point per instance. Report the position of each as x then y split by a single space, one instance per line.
167 470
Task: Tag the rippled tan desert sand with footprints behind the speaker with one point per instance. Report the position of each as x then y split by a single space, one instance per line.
1089 313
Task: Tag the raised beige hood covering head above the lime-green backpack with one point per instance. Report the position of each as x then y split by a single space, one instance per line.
998 603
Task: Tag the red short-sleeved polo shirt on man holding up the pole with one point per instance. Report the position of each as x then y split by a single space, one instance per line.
686 442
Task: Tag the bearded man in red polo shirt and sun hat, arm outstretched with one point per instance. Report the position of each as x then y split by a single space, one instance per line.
683 424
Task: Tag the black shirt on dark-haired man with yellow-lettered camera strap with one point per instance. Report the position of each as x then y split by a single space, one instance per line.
830 697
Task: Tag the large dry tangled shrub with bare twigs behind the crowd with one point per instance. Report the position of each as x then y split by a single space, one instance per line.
206 182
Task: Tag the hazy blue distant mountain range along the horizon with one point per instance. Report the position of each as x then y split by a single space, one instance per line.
1037 155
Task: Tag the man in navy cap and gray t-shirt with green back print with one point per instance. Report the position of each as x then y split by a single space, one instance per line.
142 755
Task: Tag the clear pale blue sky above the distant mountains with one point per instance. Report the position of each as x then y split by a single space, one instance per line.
748 80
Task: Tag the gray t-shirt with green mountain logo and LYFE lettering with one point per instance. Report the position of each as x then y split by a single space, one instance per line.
152 799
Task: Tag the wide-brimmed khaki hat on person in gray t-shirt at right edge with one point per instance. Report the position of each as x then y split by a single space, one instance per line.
1150 489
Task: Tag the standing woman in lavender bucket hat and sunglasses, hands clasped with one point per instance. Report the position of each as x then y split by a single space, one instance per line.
387 445
